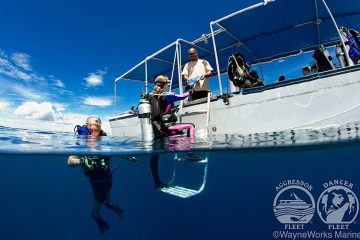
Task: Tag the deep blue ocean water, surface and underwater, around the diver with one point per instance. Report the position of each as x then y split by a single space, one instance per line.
296 184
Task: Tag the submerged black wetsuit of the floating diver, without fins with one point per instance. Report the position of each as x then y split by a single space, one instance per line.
97 169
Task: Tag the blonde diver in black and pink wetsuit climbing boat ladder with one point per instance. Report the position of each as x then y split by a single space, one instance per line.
161 103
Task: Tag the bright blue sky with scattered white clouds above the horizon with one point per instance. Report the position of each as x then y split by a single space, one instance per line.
58 59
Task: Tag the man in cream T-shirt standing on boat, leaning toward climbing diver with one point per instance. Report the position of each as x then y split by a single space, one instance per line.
196 73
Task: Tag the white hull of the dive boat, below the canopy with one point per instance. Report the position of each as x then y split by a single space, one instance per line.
318 101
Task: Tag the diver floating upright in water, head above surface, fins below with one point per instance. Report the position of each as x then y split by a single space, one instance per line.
97 169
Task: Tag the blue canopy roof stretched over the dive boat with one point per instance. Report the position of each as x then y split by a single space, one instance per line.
269 30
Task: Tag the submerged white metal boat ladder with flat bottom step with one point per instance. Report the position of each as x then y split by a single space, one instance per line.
182 191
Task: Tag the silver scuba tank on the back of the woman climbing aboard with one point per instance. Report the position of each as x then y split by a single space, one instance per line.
145 120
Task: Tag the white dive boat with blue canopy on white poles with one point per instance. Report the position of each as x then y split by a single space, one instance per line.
264 32
